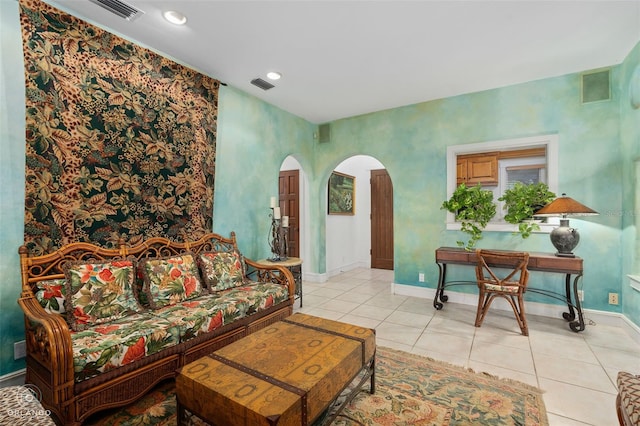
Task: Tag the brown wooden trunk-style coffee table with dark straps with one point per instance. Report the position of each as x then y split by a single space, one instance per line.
288 373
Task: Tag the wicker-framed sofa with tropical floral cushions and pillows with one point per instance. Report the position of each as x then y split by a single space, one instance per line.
103 326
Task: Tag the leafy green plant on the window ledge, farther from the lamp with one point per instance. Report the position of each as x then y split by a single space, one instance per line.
473 208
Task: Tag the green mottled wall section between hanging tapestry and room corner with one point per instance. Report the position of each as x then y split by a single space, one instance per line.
254 138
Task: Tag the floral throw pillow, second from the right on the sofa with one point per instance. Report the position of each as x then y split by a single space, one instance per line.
168 281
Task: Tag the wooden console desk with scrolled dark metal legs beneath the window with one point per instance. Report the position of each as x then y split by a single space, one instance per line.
545 262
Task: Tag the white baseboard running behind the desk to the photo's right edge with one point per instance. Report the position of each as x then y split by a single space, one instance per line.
533 308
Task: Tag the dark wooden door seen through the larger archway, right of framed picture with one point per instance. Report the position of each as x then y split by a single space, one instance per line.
381 220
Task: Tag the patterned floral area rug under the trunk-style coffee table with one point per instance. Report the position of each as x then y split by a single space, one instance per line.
410 390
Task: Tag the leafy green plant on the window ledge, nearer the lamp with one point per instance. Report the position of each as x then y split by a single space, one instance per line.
522 201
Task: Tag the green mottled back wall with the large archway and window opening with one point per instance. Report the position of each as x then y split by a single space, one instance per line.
411 142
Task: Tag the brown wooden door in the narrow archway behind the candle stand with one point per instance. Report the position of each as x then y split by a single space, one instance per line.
289 194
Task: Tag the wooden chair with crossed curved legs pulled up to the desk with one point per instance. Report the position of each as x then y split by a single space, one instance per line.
512 267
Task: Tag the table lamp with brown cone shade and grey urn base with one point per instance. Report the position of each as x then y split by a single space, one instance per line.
565 238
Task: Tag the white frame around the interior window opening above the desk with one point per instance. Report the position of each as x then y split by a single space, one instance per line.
549 141
